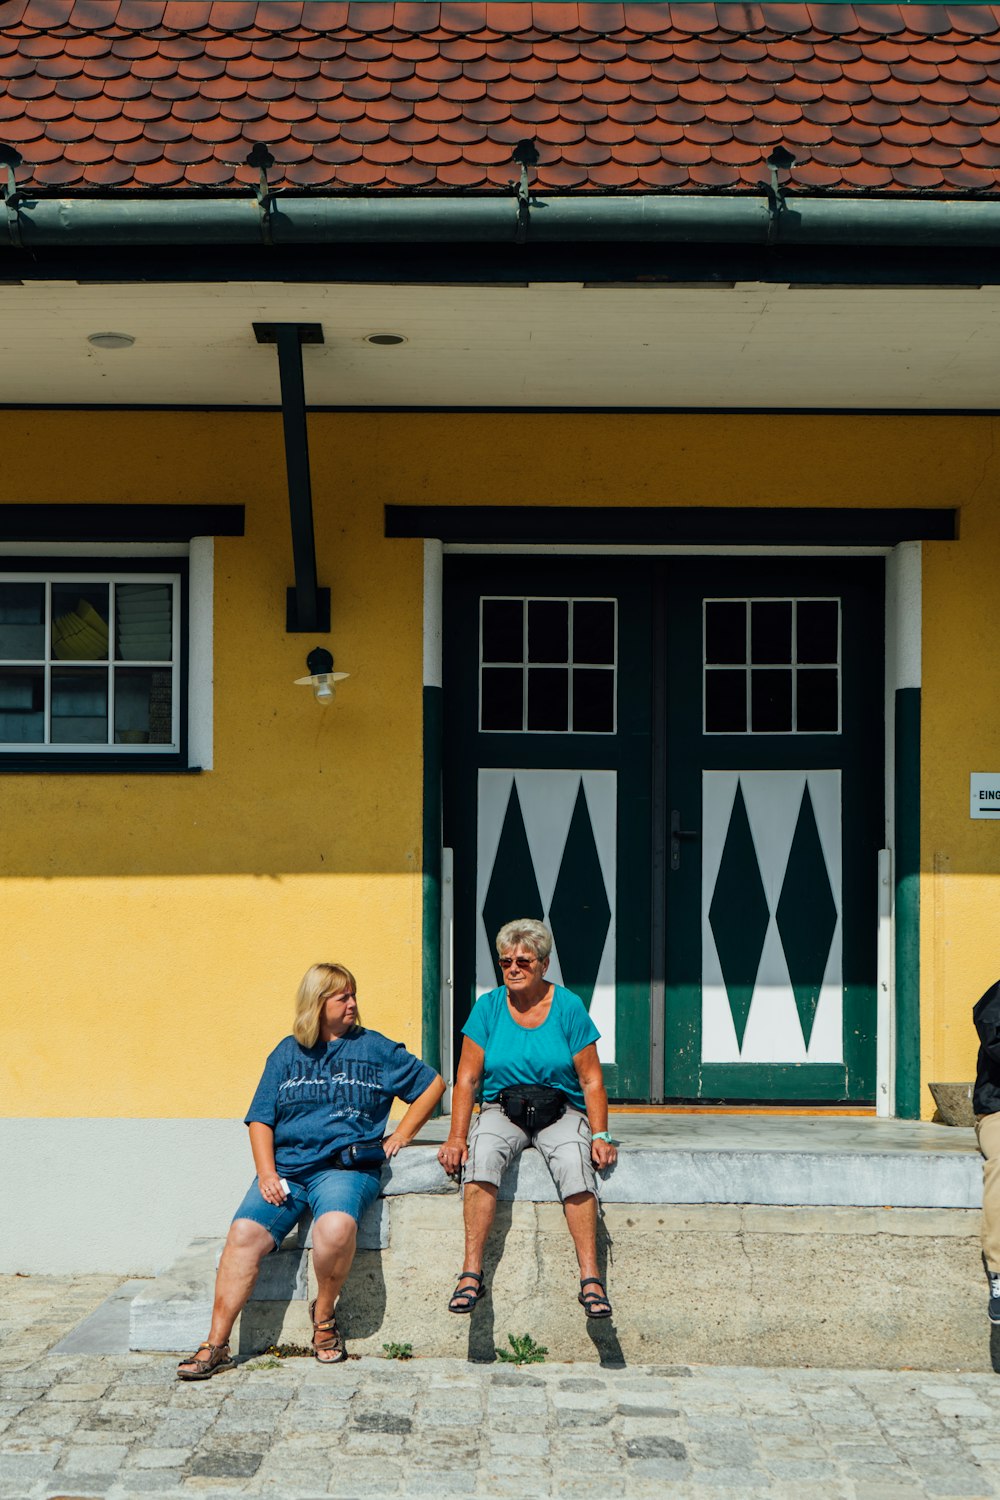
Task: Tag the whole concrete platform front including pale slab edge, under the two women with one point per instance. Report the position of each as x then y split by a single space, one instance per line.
759 1241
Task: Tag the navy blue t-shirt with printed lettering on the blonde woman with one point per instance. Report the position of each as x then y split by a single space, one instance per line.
322 1099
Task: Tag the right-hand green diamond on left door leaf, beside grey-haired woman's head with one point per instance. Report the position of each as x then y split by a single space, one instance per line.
581 914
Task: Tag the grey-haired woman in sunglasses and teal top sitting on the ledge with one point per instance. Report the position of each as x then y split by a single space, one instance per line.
533 1048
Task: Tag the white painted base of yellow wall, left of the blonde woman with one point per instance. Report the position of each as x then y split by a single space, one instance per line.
118 1195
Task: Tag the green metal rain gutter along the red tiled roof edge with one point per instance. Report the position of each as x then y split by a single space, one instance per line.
680 218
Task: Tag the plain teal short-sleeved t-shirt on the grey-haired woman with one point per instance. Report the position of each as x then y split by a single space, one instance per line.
531 1055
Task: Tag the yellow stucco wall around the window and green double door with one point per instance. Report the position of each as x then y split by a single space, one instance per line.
154 928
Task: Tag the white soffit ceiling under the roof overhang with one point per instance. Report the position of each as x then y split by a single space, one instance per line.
540 346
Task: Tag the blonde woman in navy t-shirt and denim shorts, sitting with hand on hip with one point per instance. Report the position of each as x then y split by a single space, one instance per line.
317 1126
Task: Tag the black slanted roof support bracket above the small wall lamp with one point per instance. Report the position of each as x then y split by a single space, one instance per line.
308 607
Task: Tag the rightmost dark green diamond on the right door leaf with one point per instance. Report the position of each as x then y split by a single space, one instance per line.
807 916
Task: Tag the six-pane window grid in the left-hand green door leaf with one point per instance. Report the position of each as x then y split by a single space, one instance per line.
548 665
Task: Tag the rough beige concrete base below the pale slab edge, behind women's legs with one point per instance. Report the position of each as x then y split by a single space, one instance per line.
707 1283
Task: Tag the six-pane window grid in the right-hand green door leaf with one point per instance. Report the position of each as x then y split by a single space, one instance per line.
773 667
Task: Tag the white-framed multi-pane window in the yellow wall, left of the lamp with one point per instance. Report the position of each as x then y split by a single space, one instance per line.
91 662
